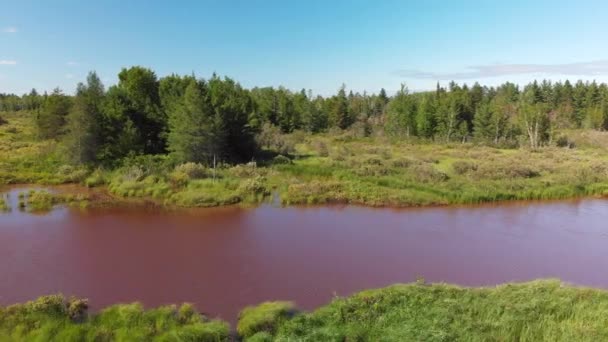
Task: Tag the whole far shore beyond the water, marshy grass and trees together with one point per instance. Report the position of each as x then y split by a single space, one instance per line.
188 141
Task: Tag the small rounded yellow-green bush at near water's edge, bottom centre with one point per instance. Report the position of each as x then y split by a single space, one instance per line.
265 317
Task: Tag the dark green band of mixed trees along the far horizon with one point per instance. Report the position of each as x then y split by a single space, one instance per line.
200 120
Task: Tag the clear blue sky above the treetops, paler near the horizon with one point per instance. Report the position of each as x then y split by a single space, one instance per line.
313 44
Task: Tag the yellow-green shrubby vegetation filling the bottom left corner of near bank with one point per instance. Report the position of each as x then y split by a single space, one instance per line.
53 318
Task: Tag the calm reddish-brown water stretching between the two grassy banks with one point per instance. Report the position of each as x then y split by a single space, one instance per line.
225 259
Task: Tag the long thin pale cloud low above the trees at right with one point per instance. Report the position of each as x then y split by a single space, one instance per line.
592 68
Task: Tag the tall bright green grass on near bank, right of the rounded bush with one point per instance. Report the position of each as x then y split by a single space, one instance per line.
537 311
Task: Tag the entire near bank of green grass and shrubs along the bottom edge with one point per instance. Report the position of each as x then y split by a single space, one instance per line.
544 310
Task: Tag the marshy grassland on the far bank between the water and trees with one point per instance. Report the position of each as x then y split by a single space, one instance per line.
325 168
